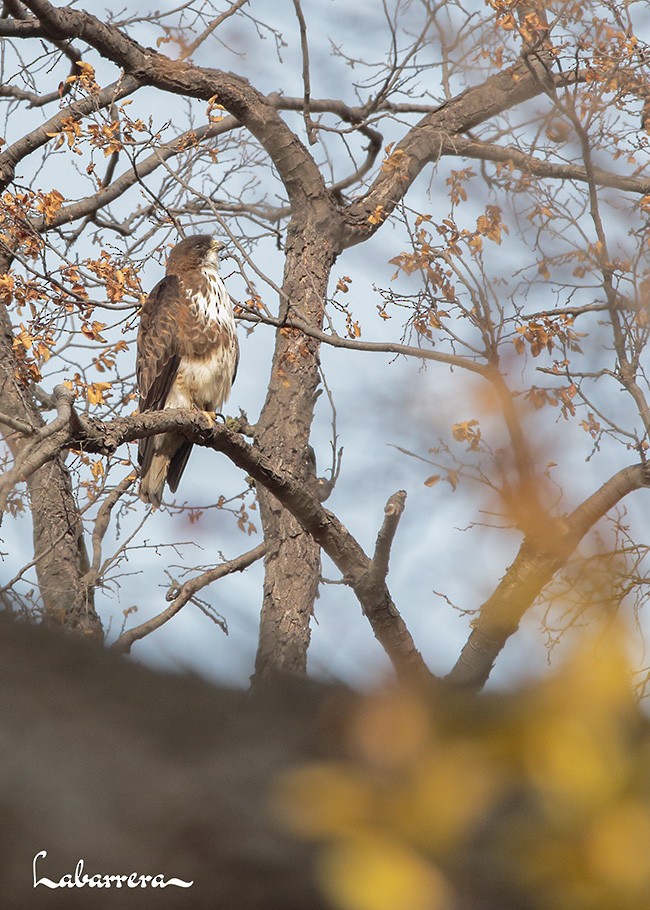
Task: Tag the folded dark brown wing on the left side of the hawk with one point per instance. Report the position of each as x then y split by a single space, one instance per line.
157 352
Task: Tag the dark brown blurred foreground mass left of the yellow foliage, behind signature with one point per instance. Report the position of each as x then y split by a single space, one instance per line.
137 771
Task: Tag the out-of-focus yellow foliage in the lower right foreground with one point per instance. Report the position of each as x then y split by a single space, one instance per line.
539 798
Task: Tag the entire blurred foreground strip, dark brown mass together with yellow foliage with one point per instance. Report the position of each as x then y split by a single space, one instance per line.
302 797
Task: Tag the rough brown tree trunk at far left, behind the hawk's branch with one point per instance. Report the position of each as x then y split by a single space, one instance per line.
61 560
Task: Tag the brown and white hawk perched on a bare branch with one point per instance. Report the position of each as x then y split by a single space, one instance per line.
187 355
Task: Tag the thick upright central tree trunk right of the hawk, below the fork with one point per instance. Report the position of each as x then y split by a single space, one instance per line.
292 564
